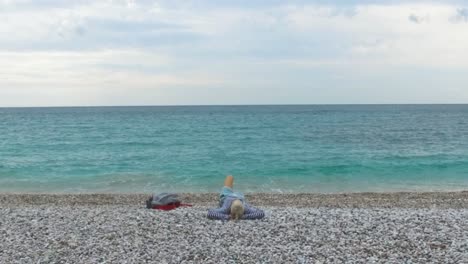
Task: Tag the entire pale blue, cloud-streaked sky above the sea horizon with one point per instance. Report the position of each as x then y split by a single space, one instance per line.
91 53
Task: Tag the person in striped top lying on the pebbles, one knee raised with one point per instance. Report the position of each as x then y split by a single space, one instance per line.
233 206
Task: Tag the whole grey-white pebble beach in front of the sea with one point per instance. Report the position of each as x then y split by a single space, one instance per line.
298 228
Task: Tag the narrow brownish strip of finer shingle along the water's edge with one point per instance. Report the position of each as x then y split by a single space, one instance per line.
453 200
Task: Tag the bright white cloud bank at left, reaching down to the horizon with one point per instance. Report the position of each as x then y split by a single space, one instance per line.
106 77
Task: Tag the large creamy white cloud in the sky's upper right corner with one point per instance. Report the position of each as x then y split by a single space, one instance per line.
381 35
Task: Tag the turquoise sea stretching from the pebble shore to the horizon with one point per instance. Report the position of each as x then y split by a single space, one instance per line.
354 148
